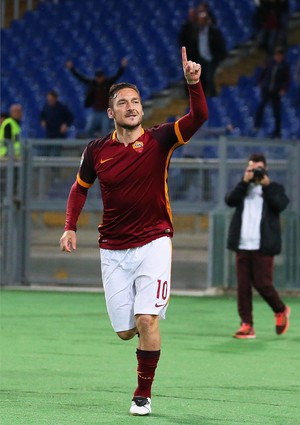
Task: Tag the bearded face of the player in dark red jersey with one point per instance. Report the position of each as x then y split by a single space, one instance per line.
126 109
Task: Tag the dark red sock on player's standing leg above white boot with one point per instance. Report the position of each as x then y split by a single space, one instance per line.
147 363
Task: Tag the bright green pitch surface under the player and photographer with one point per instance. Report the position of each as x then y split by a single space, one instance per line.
61 364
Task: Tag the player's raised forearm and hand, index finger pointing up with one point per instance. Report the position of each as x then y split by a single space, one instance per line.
198 114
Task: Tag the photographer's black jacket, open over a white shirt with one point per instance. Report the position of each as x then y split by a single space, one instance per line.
274 202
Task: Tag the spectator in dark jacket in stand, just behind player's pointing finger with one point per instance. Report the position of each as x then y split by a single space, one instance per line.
211 51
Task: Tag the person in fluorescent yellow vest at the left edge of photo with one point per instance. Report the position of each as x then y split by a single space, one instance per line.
10 129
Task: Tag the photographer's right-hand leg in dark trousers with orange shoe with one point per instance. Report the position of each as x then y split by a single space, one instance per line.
263 283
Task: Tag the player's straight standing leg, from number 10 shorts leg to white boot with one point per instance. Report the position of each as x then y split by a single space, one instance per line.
152 296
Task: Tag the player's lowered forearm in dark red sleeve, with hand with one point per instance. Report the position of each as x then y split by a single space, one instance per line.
76 201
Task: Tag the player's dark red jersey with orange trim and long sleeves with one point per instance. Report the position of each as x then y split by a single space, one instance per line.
133 181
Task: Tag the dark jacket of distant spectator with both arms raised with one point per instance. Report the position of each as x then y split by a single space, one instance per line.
97 94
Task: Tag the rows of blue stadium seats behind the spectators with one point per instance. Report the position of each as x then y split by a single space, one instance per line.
97 34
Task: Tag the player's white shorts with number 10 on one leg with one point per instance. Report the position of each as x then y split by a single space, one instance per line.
136 281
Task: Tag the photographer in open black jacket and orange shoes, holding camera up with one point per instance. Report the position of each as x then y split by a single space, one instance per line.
255 236
